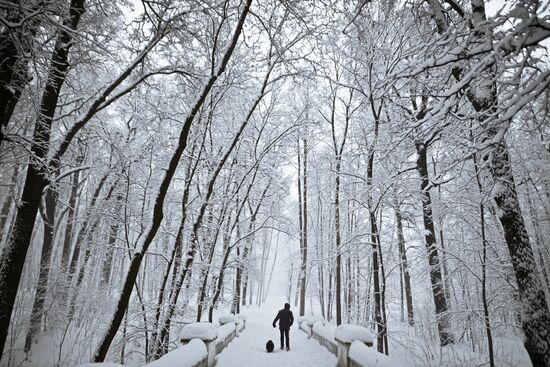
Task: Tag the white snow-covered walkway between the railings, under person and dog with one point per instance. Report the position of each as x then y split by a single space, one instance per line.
249 348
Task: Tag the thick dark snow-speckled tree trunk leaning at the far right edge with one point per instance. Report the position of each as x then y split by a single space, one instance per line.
536 315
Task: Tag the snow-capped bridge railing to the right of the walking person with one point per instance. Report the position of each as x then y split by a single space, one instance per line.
351 344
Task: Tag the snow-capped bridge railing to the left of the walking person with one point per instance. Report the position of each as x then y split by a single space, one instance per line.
201 342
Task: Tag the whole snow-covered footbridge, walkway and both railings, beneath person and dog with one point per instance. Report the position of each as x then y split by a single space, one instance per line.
240 342
